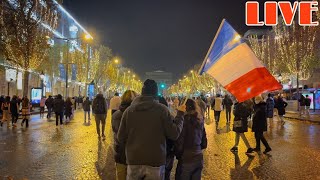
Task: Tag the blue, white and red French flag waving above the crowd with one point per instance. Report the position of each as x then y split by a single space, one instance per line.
234 65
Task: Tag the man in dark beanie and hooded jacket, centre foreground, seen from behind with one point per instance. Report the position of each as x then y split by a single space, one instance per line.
144 128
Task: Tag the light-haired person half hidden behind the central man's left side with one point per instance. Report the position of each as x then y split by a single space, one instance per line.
119 149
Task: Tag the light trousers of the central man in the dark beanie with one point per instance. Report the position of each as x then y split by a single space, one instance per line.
137 172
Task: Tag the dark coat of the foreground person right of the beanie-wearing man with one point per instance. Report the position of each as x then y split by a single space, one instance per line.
192 139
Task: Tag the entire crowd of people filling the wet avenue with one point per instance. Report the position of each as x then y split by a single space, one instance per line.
151 131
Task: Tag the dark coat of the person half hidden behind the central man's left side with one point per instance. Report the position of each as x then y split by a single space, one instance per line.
119 149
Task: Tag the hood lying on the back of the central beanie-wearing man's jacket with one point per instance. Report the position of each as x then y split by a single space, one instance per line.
142 103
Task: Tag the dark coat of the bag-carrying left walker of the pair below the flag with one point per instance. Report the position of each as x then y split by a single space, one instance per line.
241 113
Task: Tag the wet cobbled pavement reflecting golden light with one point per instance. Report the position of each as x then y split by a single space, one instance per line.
73 151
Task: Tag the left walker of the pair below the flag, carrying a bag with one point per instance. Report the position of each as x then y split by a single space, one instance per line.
241 113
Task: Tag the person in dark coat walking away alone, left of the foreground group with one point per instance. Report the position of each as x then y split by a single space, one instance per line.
100 109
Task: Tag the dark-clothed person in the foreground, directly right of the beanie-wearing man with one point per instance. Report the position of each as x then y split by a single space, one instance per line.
190 144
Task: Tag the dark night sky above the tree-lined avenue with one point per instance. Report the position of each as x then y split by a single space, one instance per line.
169 35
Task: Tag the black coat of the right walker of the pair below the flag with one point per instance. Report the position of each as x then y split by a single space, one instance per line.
259 120
